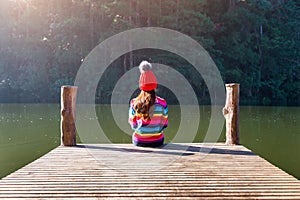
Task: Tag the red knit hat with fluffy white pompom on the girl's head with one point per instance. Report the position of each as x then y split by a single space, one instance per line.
148 80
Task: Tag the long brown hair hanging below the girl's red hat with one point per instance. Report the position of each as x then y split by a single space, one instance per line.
143 104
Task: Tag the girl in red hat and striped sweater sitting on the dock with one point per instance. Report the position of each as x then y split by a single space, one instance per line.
148 113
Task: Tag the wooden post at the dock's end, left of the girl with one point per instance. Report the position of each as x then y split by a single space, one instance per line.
68 107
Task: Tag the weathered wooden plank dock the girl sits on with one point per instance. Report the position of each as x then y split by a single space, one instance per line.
178 171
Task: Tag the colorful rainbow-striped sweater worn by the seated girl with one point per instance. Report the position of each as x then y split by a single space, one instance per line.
149 131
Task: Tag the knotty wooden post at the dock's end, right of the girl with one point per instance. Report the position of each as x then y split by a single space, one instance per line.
231 113
